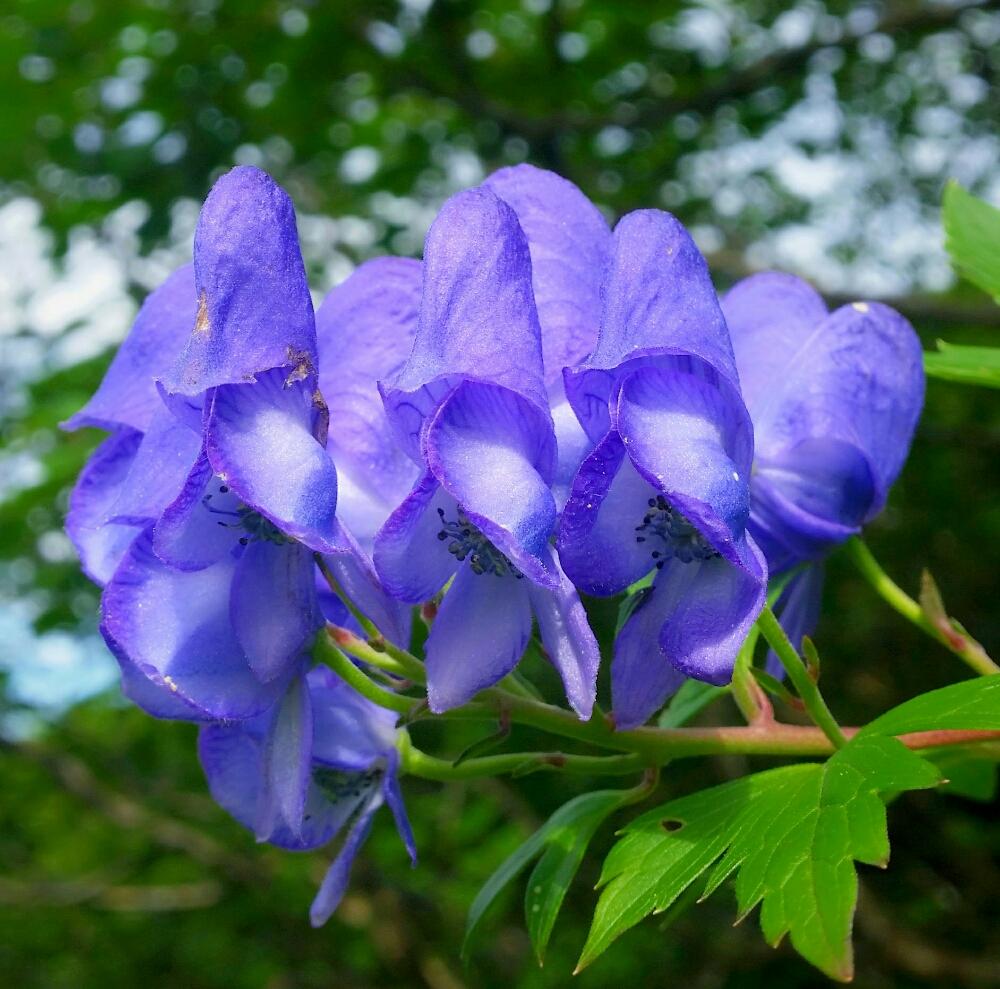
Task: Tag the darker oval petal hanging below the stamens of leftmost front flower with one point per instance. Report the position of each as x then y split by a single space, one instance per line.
273 605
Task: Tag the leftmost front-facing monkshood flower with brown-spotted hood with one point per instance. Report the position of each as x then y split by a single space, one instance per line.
213 602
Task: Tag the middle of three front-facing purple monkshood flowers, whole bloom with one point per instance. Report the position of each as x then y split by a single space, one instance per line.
470 407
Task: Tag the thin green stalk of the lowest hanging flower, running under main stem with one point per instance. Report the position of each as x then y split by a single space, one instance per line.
418 763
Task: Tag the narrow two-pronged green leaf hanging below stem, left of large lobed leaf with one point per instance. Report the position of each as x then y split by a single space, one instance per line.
566 835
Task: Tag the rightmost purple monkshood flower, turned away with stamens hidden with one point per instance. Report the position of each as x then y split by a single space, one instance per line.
834 399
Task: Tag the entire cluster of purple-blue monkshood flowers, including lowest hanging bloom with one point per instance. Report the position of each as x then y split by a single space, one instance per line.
541 407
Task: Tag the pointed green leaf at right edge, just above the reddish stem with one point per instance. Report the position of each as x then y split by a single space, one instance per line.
972 705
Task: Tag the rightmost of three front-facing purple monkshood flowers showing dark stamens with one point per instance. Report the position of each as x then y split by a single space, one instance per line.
666 486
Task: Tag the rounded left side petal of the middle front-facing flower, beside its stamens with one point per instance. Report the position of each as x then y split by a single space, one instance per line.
412 563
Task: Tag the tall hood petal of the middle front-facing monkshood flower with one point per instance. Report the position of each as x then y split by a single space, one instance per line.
477 317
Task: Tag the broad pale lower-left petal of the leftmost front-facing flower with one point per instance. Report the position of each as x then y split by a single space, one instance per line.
175 627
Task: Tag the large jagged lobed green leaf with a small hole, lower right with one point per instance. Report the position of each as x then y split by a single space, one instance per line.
791 835
